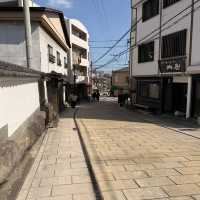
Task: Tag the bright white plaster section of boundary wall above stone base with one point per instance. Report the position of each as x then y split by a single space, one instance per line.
17 103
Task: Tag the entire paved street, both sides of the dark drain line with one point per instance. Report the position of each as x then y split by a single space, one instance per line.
122 157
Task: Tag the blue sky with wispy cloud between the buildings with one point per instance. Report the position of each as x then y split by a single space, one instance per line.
106 20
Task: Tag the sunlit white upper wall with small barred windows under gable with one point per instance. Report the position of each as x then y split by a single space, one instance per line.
47 66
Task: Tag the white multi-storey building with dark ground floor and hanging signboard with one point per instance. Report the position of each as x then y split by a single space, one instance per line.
164 55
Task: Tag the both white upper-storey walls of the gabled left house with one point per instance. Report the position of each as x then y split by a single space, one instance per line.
13 48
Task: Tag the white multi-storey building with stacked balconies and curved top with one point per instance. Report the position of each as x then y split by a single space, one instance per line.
79 56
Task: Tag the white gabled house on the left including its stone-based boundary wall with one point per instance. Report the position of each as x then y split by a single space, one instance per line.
30 99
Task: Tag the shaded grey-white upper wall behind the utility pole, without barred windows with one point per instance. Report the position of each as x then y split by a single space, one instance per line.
12 43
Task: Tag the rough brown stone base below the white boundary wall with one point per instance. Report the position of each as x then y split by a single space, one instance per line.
13 148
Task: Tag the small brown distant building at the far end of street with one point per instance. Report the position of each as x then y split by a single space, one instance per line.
120 81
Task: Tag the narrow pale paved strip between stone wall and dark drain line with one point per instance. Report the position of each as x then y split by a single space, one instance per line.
59 171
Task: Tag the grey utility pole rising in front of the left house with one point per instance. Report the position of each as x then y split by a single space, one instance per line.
28 36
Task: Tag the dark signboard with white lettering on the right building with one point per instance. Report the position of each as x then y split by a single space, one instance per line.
172 65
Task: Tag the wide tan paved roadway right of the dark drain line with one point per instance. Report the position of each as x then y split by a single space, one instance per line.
137 160
